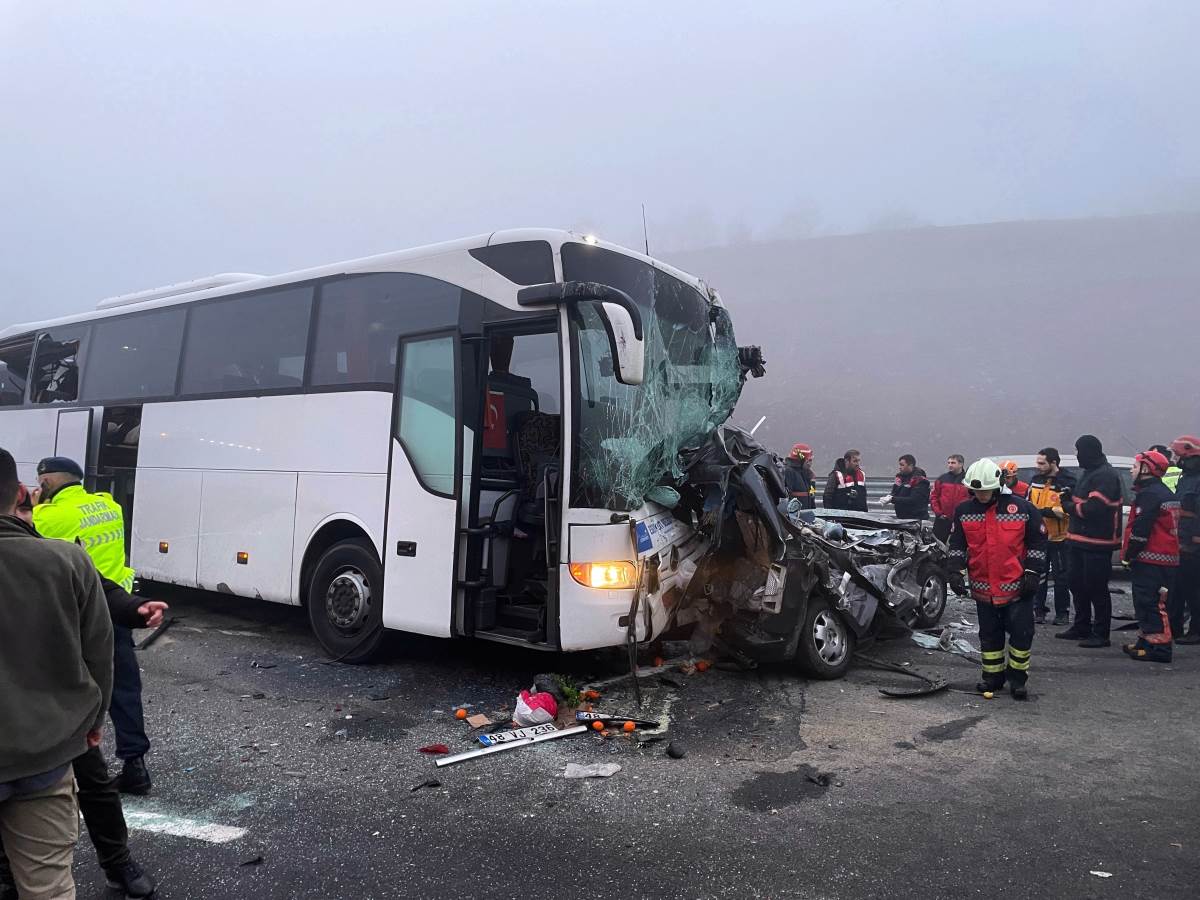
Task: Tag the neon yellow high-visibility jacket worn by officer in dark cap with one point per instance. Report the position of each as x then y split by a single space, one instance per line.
95 523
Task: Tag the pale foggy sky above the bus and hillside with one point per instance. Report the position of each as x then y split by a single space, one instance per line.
151 143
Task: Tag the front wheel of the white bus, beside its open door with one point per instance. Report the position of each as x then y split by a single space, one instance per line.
346 602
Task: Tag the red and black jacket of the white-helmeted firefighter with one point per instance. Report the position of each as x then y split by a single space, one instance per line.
998 542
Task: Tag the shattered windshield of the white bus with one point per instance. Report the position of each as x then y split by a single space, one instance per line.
628 437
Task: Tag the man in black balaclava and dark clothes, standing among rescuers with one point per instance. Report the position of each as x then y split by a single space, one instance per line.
1094 535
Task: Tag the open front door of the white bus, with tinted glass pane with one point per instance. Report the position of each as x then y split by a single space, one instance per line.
424 485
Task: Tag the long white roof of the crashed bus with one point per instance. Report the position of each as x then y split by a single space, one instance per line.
237 283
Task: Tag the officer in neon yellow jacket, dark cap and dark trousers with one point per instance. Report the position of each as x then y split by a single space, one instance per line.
65 511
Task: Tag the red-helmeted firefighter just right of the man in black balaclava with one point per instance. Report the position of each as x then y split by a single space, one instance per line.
1151 553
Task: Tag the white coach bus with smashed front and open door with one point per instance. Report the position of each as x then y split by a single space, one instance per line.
454 441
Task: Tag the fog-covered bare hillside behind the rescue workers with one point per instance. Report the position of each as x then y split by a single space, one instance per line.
980 339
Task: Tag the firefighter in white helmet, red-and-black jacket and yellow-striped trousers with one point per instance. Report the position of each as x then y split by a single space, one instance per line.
1000 539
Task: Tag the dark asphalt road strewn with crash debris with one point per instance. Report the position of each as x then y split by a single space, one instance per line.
280 776
